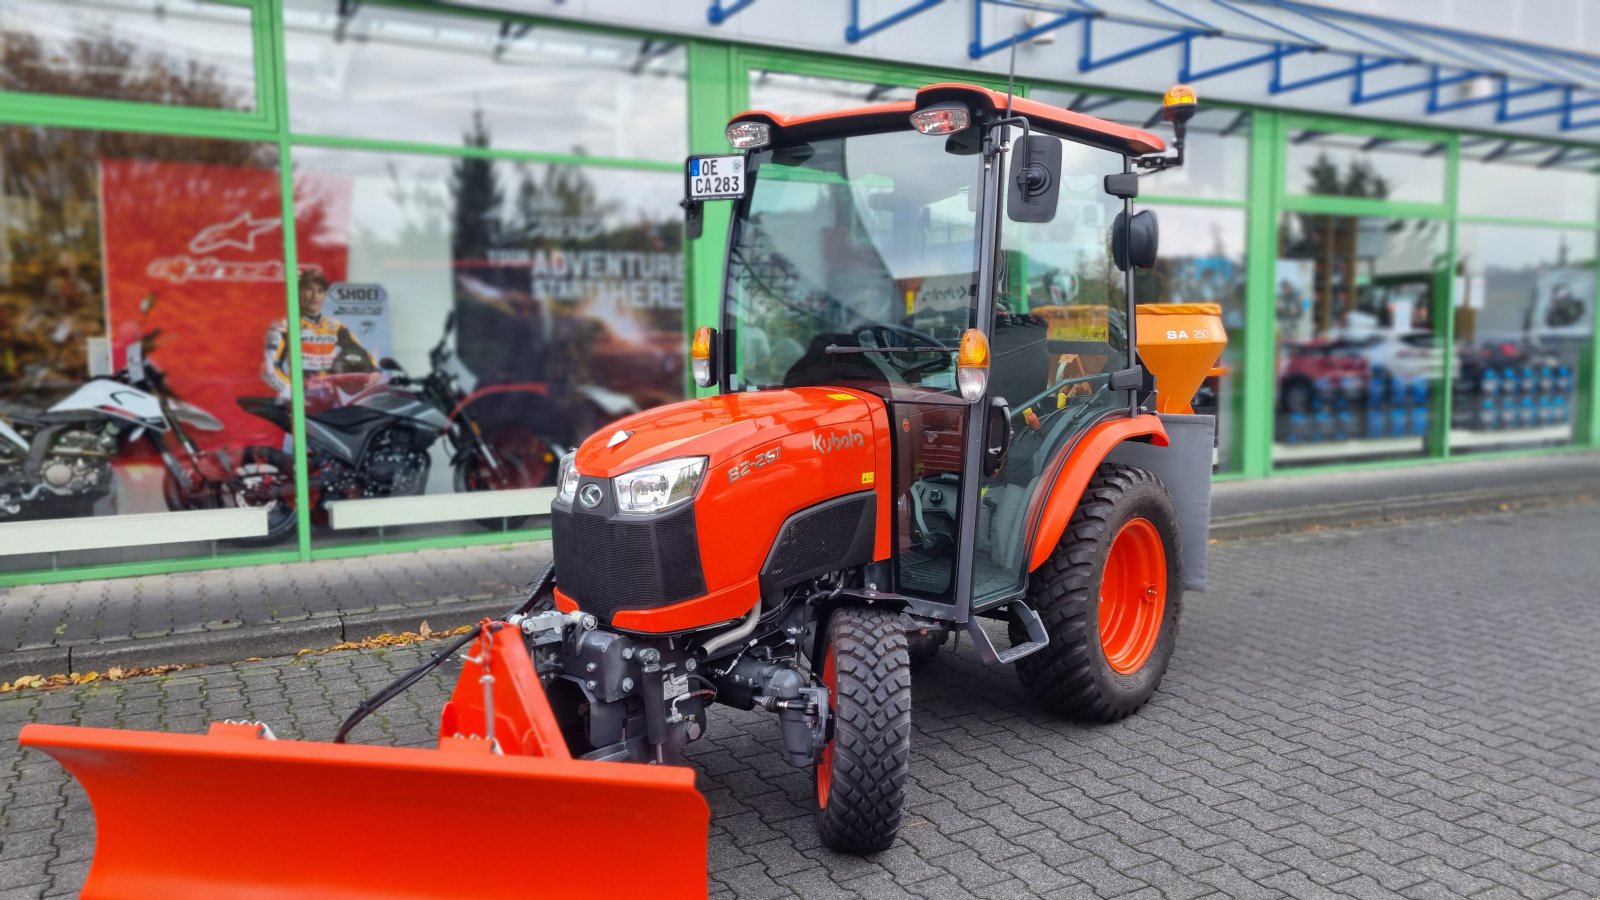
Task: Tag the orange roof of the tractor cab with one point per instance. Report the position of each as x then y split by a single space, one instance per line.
1042 116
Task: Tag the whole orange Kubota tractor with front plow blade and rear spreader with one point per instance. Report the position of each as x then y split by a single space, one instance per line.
934 403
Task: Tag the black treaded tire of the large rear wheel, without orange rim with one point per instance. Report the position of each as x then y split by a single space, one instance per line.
1071 675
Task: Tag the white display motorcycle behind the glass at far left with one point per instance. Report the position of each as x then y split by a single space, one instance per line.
57 462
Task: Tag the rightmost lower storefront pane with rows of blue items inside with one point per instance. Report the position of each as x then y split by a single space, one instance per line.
1526 323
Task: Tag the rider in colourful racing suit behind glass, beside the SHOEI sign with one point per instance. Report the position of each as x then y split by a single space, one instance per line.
334 361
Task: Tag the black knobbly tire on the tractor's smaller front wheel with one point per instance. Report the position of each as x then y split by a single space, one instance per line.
871 731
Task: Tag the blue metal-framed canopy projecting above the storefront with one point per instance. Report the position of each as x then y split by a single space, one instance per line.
1295 46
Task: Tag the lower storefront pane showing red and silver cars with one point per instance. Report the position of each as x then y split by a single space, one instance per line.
1359 360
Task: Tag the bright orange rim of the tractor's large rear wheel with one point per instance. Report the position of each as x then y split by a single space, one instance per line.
1134 597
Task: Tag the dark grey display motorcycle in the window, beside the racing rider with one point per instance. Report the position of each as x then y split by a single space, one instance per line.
378 441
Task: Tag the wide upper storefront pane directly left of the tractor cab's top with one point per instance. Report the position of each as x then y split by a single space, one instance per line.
426 78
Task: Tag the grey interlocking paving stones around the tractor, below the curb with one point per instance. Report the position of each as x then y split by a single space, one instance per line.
1396 710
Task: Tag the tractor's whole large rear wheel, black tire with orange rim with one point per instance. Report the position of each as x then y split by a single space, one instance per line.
1110 640
